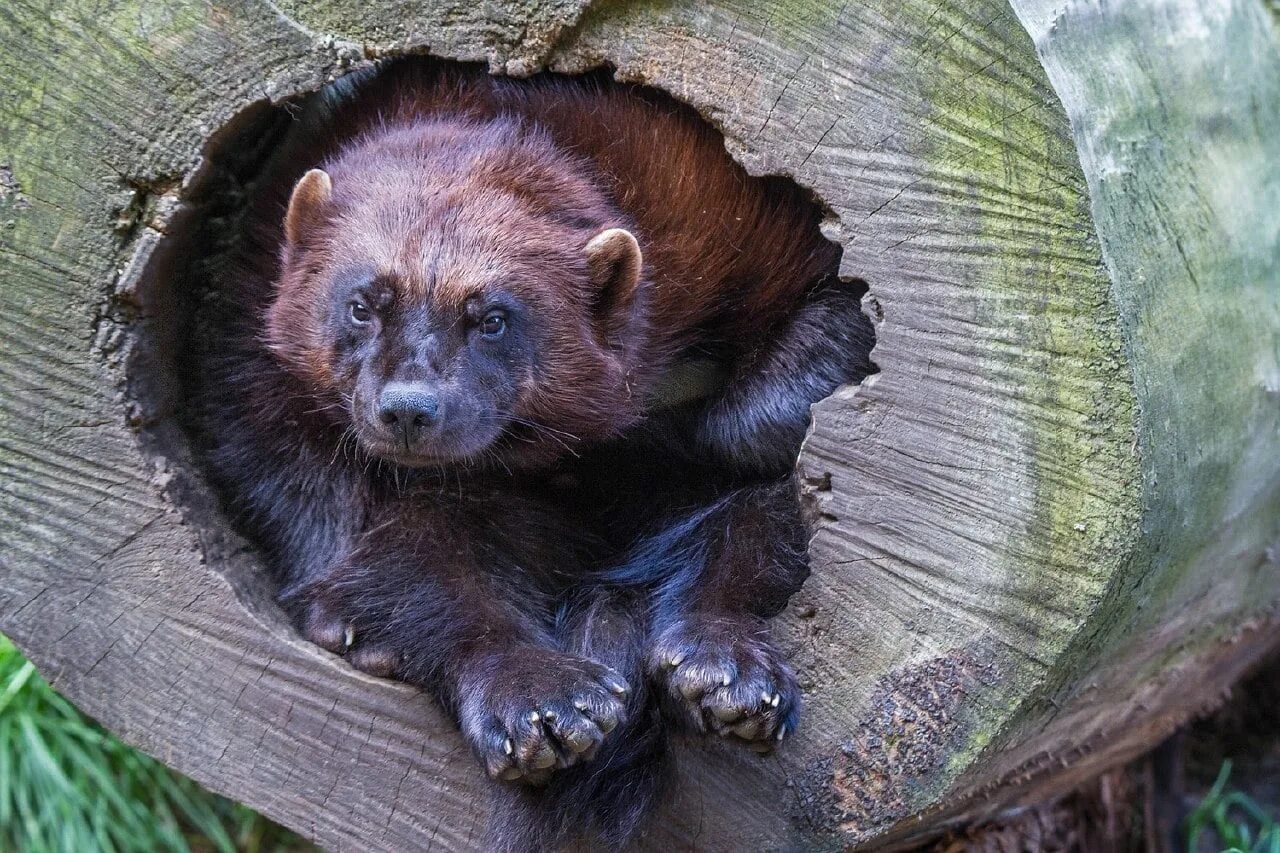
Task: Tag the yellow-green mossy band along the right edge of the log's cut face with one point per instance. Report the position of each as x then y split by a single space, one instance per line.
1040 285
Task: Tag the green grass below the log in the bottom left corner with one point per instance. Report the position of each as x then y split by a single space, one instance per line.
68 786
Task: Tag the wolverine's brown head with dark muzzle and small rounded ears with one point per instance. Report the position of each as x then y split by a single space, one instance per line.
459 291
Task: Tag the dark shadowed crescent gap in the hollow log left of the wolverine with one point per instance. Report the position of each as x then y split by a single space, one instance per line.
156 322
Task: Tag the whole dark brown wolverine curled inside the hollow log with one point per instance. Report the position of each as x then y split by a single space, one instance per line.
509 380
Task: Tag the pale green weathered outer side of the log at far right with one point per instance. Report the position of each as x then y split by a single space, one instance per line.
1185 165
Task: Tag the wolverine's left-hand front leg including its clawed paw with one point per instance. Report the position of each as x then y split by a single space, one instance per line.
456 596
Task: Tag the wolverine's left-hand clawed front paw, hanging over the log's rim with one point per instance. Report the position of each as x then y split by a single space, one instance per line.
532 711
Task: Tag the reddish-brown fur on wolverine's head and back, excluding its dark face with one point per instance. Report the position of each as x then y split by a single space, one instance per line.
725 257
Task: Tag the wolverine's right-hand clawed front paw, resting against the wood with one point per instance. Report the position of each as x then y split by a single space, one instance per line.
724 676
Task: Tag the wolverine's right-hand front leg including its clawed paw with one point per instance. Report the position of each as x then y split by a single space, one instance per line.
719 576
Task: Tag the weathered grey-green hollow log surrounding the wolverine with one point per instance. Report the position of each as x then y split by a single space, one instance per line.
1052 523
